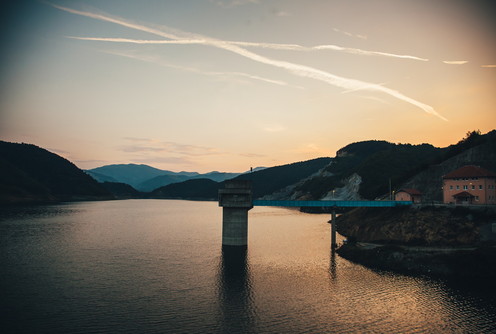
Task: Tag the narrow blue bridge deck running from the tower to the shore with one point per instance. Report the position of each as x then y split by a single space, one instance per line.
330 204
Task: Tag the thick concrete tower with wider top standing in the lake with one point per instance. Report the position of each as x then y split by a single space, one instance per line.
235 200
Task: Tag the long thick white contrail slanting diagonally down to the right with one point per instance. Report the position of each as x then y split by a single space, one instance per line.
299 70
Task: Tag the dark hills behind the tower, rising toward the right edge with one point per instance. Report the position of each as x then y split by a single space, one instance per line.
362 170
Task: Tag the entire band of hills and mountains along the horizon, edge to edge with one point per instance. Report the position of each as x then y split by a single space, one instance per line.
362 170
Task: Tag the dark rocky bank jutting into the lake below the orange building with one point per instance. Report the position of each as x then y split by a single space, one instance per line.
434 241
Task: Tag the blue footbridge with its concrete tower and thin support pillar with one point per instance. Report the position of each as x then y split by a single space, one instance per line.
236 200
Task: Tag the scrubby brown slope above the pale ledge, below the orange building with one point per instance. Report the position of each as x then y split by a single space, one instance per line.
411 226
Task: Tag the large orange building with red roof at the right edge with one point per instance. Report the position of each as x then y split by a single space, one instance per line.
470 185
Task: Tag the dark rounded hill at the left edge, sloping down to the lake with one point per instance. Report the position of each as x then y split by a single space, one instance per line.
31 174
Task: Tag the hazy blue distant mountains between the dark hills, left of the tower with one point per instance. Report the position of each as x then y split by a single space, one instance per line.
145 178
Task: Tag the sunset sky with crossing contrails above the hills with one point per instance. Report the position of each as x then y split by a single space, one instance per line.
204 85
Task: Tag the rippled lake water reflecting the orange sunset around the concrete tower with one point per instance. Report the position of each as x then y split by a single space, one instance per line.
157 266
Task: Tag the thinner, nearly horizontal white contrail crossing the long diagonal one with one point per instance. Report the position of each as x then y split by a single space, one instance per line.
273 46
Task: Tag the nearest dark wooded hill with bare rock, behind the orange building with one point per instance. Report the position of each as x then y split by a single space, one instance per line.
379 164
